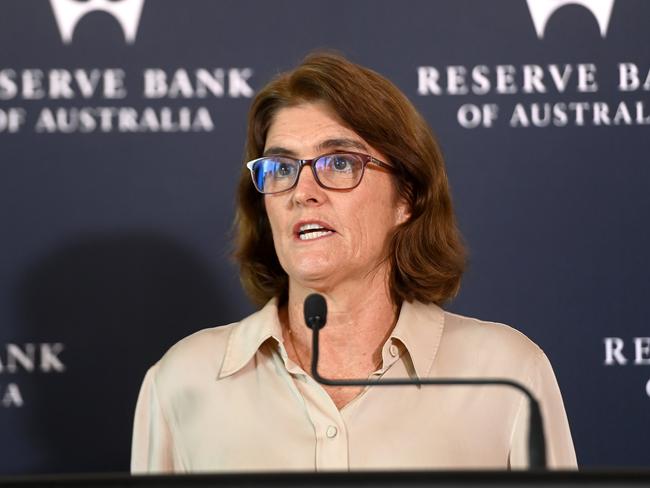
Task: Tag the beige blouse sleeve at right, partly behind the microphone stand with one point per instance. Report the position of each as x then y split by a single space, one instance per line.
560 453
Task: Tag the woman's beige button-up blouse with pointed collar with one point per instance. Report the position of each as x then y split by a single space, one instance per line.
229 399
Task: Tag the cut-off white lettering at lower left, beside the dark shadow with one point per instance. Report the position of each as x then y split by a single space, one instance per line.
29 358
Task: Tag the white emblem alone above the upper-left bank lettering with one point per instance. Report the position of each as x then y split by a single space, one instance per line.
68 13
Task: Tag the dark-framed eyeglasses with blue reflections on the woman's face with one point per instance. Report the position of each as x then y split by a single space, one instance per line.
337 171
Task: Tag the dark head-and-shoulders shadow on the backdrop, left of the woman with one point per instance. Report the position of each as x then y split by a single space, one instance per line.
116 302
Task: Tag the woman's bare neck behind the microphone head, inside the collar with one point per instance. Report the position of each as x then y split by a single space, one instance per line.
360 318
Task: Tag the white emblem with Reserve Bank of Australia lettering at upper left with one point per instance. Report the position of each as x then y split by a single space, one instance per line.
155 108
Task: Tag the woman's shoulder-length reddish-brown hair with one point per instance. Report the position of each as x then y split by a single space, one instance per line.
426 254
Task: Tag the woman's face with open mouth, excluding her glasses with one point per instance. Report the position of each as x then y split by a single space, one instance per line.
355 225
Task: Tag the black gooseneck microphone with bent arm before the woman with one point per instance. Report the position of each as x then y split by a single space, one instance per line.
315 311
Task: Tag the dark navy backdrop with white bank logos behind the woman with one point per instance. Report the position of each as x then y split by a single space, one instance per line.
121 137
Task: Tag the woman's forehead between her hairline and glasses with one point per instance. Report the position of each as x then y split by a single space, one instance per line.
310 128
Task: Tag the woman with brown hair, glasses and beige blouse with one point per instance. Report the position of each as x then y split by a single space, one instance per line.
350 199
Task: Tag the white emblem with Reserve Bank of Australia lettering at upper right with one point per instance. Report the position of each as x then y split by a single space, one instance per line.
569 91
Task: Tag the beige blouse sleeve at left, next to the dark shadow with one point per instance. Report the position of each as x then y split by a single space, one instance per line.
152 447
